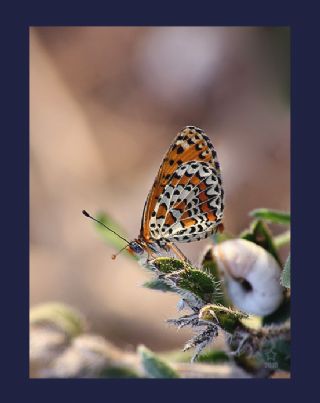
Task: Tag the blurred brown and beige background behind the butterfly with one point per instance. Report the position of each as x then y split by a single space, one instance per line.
105 104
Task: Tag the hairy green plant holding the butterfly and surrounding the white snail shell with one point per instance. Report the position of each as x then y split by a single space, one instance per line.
203 292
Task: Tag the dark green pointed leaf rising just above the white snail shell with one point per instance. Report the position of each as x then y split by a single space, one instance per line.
260 234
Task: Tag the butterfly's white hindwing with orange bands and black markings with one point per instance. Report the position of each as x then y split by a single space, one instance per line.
188 212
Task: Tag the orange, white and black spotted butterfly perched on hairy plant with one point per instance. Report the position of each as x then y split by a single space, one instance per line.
185 203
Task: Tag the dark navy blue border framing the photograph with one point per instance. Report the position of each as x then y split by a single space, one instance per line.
15 196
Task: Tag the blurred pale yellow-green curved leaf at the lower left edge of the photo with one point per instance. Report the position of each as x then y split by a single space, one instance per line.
59 315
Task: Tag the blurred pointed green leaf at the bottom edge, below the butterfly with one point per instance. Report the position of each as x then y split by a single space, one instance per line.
153 366
